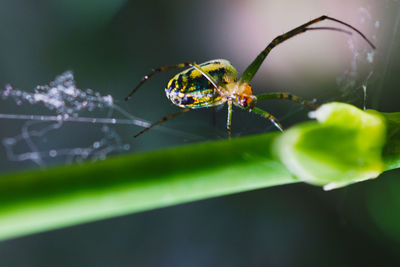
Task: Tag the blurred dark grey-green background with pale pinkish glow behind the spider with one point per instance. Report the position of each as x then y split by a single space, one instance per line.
110 45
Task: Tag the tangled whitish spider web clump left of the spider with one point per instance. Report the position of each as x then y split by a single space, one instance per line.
62 103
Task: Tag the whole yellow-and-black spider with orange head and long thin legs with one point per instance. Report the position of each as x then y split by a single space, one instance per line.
215 82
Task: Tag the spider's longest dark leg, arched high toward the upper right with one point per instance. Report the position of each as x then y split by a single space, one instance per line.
252 69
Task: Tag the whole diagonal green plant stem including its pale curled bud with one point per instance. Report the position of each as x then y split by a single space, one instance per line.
343 145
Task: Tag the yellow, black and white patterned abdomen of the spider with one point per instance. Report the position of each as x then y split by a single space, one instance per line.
190 89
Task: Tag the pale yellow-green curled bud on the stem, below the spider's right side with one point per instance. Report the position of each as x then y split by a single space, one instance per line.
343 146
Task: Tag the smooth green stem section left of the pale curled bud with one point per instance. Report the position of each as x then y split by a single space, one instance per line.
48 199
